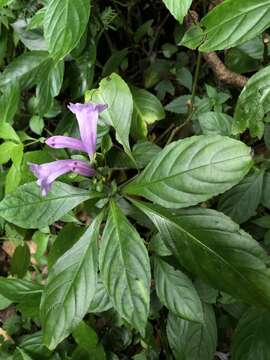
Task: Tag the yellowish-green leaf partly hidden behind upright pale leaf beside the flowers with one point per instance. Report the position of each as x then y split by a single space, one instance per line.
147 110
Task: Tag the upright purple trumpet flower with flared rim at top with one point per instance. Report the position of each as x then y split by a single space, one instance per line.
87 116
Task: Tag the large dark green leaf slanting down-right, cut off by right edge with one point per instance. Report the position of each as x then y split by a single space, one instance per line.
212 246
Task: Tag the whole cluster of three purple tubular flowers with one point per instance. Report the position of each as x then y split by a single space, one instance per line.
87 117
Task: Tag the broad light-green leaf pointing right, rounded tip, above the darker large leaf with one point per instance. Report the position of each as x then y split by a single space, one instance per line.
192 170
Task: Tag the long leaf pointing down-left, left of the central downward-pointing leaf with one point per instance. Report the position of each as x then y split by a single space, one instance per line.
70 288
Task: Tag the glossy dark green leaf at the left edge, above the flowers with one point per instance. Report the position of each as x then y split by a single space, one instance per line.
26 69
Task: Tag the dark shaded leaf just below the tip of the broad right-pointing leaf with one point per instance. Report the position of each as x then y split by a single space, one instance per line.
241 202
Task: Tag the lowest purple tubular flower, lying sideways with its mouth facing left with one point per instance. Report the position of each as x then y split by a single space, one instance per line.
47 173
